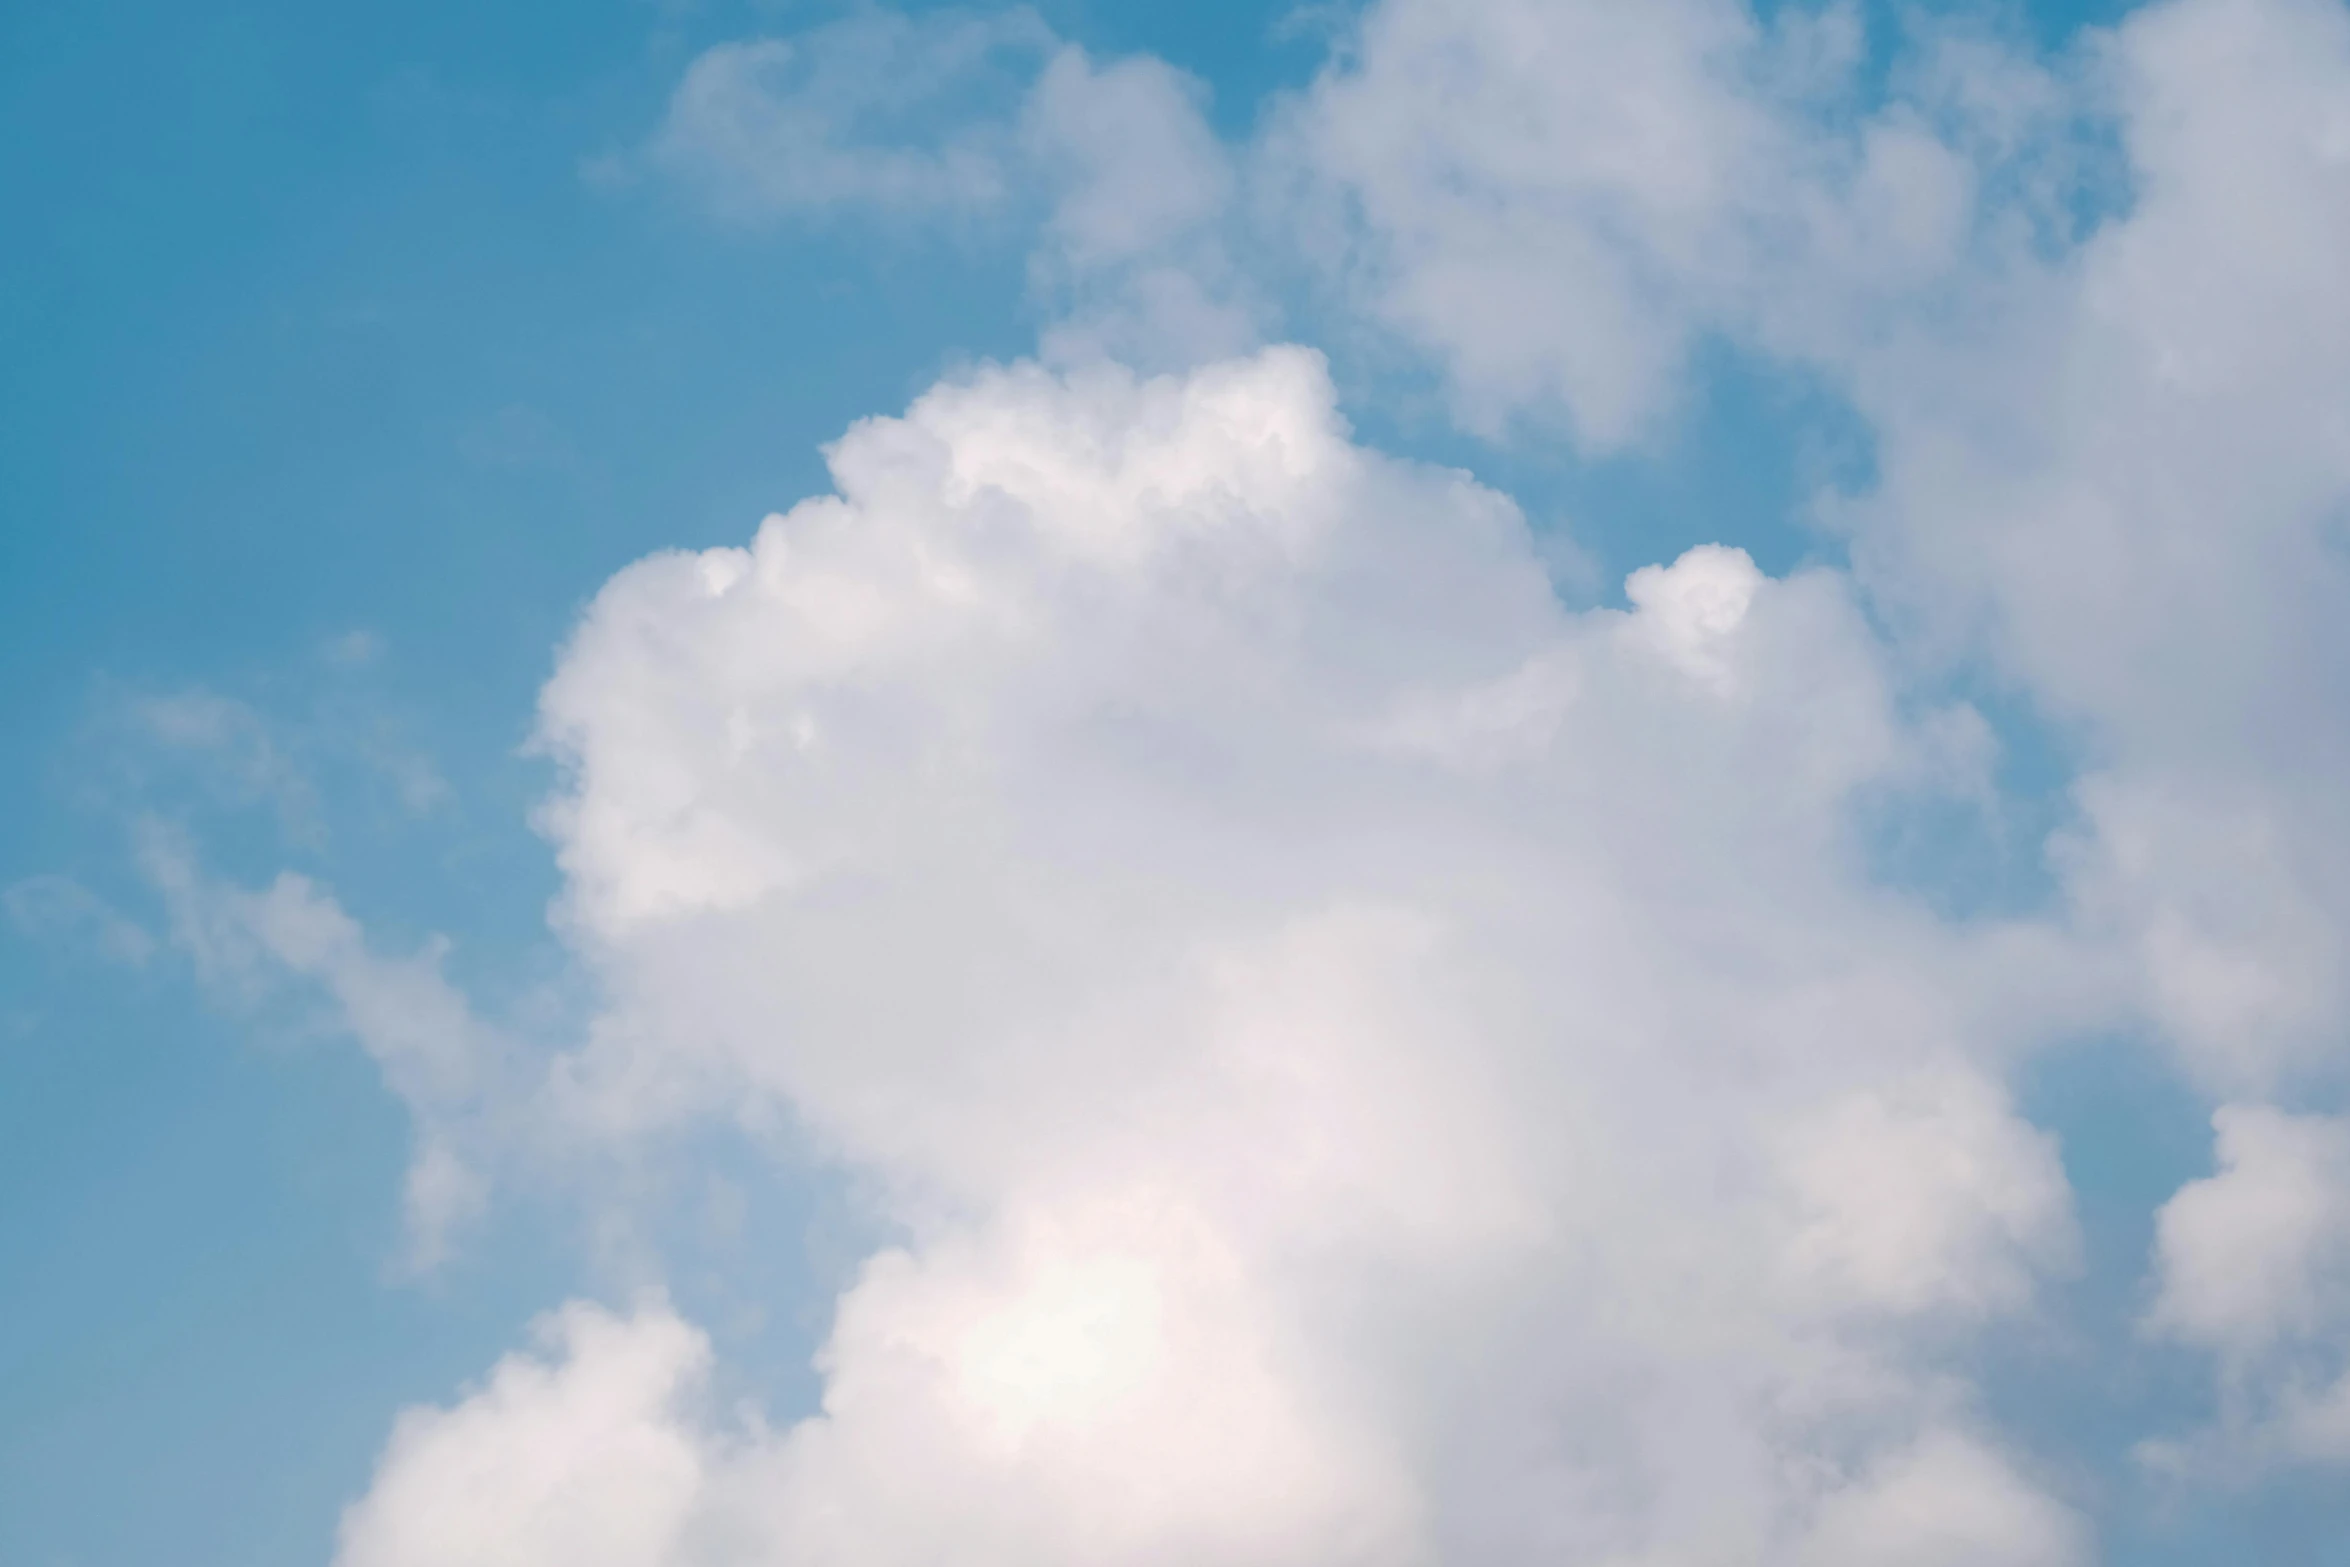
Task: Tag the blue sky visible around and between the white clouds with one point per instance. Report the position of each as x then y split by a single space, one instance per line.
342 372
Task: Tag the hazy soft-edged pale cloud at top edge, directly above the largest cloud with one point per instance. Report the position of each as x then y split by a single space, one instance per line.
1540 194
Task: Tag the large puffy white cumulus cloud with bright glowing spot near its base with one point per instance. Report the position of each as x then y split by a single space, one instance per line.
1367 1063
